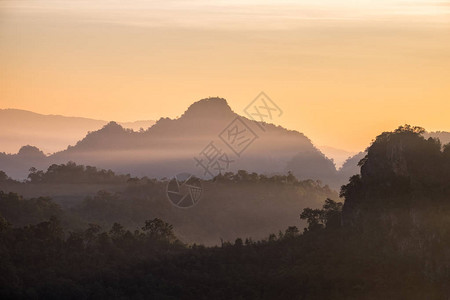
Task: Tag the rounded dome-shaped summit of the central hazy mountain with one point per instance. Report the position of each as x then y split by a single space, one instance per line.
211 107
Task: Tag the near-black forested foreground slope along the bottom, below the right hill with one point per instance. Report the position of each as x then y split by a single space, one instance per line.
38 261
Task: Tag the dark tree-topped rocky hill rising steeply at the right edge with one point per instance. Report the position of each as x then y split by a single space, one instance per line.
402 198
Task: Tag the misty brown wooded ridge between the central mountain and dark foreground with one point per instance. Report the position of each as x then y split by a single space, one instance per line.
233 204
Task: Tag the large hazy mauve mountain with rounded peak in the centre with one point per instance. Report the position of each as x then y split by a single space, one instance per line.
169 147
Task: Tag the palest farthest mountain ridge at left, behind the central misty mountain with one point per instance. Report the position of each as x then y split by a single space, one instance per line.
50 133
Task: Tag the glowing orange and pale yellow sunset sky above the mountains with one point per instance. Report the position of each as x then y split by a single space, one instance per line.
341 71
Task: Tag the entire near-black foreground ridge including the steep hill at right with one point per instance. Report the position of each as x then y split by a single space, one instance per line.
391 241
